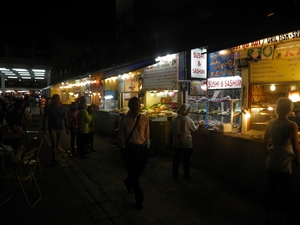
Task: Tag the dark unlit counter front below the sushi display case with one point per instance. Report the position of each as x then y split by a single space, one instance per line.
234 157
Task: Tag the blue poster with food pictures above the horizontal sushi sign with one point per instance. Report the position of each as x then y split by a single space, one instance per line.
220 64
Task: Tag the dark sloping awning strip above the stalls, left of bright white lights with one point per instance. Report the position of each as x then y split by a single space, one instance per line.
127 68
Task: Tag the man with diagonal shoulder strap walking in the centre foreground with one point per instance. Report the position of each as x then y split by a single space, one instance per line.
133 134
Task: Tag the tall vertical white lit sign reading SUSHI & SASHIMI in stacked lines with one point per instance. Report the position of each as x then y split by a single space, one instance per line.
198 64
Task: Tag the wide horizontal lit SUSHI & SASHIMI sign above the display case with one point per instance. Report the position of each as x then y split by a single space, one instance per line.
224 82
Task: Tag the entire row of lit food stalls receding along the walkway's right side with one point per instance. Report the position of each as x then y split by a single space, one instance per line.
233 92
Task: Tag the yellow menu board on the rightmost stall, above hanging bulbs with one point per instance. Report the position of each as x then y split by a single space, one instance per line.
285 67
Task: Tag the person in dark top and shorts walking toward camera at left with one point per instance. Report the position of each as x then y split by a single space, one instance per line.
55 114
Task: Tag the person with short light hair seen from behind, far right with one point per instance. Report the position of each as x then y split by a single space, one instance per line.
282 149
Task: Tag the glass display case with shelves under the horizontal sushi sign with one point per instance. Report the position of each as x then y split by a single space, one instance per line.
224 115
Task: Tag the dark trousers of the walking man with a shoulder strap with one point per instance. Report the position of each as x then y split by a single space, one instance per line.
135 160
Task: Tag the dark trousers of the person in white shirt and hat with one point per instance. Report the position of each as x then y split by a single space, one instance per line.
185 154
